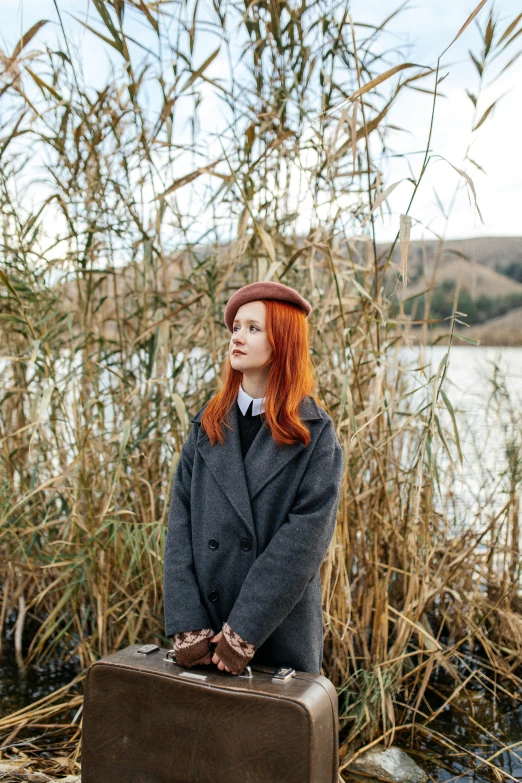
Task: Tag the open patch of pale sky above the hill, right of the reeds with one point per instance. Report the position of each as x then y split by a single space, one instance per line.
428 28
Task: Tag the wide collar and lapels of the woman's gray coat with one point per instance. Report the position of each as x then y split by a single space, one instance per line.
241 480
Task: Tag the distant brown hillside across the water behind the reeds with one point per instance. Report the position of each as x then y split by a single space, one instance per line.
487 295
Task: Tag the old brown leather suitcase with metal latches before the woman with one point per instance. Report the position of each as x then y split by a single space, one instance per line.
148 720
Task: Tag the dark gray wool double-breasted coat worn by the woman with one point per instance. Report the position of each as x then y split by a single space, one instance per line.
246 538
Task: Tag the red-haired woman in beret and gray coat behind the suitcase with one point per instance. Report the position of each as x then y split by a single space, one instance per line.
253 509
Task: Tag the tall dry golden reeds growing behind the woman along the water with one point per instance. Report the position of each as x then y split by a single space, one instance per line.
100 372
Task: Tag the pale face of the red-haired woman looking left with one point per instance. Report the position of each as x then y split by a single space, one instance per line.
249 337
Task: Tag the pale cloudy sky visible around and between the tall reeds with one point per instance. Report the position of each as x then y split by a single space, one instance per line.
425 28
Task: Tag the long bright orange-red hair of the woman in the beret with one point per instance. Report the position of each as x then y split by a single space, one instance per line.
291 377
